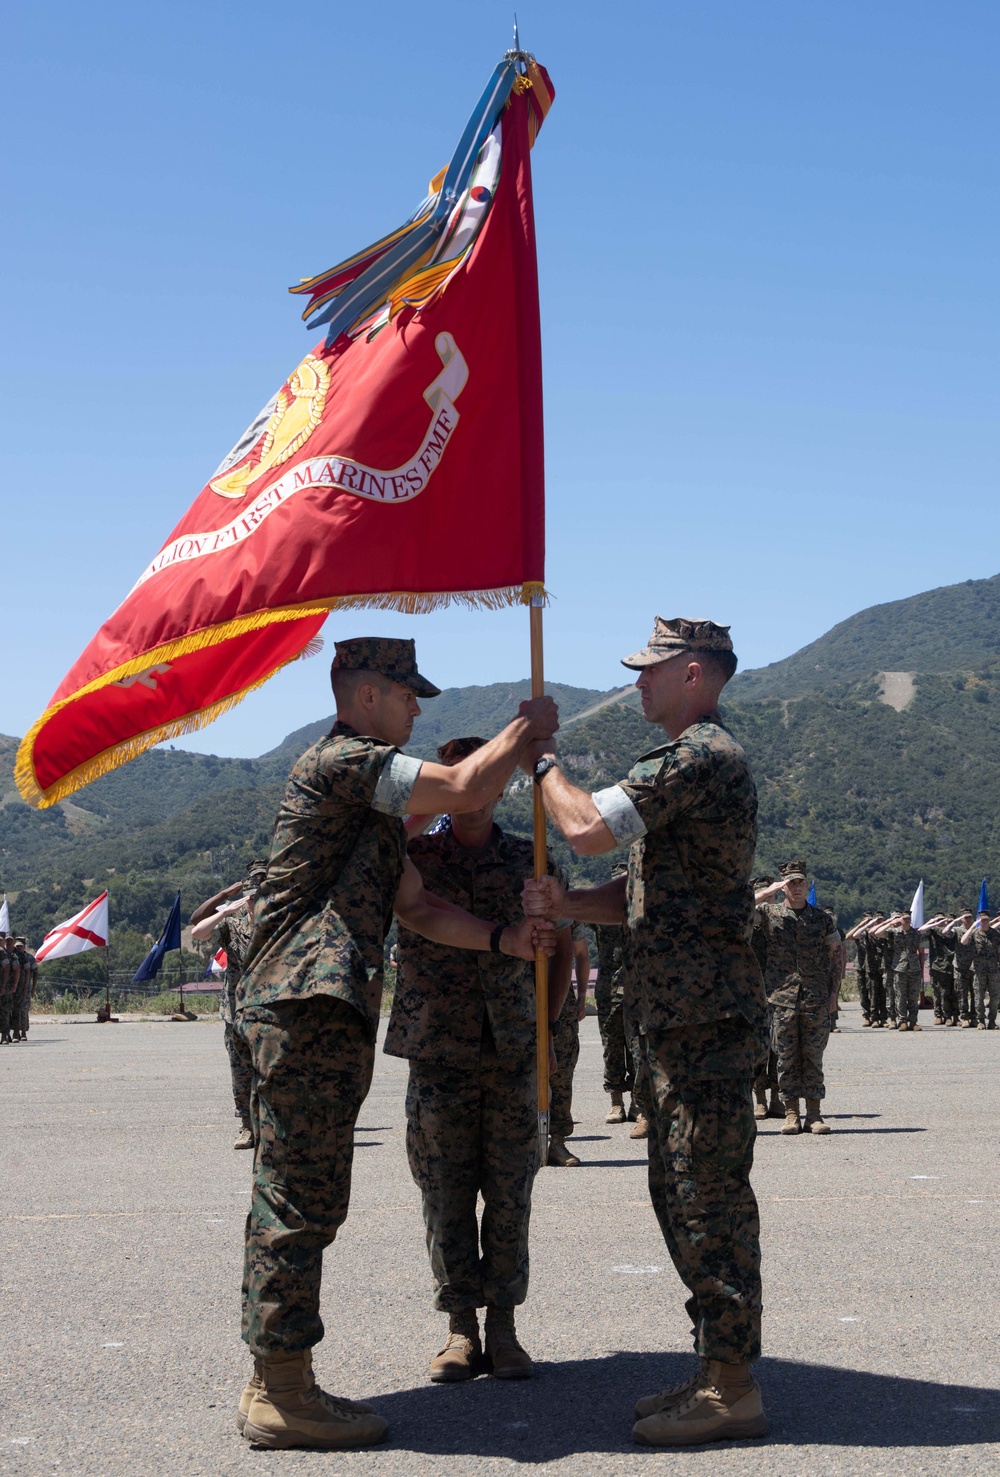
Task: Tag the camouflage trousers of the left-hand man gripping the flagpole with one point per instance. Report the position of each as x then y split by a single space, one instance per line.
314 1067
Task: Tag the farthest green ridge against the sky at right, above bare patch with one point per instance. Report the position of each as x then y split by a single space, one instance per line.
942 630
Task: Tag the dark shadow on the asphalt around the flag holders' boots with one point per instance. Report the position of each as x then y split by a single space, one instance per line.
586 1405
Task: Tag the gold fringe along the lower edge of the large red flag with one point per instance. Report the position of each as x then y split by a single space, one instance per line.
120 754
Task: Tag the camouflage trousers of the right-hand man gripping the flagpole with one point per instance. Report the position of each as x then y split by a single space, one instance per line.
701 1153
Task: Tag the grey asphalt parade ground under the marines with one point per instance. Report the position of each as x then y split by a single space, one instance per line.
123 1210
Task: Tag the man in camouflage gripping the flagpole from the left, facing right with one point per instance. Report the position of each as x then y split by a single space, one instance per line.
312 995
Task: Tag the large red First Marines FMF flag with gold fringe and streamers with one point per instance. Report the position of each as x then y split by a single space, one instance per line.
400 469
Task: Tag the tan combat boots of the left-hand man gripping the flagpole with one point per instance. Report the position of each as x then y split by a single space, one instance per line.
290 1410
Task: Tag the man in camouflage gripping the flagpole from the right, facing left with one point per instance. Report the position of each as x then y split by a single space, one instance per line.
689 815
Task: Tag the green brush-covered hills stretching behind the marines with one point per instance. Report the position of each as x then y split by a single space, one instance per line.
877 782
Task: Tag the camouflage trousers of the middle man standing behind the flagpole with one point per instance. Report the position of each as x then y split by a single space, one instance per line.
469 1132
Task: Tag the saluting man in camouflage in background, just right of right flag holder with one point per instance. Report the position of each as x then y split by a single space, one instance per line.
801 987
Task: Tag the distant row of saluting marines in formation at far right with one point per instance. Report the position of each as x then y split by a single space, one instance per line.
965 970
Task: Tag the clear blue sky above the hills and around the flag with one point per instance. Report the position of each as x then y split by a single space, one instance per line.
767 252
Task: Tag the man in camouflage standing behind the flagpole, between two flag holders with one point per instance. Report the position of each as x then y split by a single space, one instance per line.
466 1023
